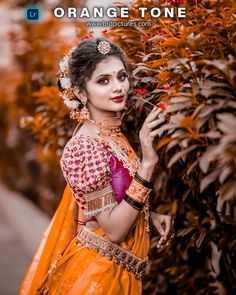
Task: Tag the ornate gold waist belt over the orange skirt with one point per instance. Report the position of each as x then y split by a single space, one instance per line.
106 248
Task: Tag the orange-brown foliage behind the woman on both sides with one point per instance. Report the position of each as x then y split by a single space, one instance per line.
187 65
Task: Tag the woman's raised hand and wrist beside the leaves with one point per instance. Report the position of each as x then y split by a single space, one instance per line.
146 136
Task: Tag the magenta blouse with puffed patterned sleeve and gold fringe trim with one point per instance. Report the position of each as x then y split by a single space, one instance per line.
98 179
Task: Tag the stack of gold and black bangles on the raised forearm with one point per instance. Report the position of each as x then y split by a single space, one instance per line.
138 192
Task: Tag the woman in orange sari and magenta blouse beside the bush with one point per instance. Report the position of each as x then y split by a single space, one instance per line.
98 239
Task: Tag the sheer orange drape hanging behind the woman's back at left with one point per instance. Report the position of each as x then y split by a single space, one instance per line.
57 236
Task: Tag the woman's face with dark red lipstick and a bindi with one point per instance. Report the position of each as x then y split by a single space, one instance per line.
107 88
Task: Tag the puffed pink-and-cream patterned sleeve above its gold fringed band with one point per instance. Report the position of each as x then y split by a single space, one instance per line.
85 163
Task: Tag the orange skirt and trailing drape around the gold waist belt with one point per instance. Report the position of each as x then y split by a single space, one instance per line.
62 265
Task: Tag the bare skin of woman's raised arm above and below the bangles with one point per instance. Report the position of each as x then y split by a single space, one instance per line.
116 223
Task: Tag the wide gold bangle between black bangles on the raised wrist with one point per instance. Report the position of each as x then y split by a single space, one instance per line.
138 192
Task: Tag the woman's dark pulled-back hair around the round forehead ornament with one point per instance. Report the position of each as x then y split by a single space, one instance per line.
85 58
